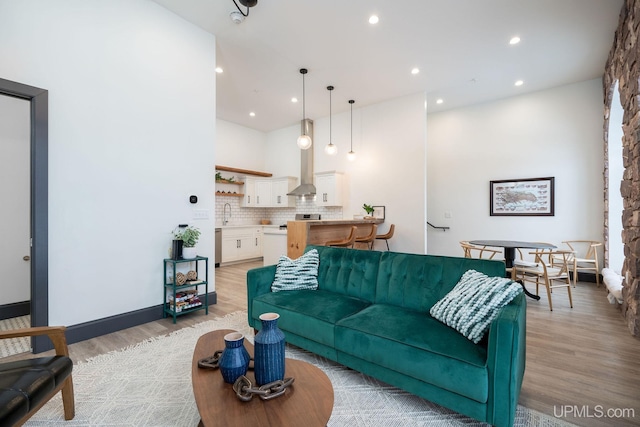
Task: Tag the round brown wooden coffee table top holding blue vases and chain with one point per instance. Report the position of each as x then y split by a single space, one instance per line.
307 402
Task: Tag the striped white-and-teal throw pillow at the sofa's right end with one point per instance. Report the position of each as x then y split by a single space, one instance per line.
474 302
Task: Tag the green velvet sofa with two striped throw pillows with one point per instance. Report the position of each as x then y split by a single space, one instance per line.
371 313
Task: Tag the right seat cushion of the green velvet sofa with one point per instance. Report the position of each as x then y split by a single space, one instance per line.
414 344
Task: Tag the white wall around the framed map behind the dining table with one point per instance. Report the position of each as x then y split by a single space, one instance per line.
557 132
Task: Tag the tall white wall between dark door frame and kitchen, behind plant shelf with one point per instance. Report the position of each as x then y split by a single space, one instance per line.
131 136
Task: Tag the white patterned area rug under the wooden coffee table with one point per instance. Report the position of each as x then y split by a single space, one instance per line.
149 384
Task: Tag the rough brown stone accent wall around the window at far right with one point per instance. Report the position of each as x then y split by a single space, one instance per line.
623 65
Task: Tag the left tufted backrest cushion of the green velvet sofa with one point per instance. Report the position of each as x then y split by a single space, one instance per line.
348 272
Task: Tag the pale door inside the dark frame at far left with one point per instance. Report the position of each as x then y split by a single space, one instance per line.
15 250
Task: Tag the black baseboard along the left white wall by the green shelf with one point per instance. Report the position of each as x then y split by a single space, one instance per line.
107 325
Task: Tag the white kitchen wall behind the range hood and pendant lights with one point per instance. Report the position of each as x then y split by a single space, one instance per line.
389 140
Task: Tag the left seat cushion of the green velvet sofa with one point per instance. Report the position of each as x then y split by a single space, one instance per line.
310 314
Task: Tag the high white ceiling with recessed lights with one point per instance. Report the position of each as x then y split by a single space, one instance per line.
460 46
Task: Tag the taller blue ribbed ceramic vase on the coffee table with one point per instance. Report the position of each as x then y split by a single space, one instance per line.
269 350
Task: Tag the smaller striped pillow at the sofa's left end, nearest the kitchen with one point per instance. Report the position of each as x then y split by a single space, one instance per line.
297 274
